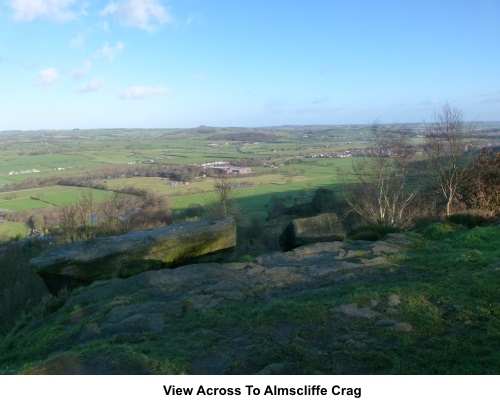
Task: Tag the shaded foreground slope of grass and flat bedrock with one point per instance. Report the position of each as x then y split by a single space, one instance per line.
405 305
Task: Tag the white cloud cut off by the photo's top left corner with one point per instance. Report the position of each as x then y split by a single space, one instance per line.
28 10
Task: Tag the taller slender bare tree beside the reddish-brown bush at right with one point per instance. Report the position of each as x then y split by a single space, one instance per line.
449 148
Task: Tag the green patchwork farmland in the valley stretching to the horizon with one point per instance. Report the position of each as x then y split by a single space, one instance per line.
289 161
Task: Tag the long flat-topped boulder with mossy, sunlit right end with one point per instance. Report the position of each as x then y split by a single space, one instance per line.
126 255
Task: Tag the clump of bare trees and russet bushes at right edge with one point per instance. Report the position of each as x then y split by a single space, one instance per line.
394 186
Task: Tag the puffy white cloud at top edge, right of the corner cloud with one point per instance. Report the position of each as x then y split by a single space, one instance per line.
148 15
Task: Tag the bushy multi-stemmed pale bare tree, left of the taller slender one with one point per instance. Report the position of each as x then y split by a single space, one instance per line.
382 191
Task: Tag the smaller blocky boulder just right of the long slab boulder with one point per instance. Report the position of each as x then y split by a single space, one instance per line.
303 231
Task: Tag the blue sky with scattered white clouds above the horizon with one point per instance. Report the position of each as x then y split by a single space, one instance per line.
183 63
